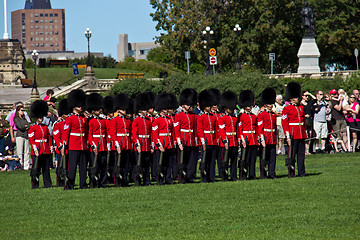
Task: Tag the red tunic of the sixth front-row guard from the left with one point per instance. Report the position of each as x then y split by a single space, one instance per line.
162 129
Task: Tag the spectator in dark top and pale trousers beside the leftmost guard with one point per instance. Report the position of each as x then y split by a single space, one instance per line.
22 138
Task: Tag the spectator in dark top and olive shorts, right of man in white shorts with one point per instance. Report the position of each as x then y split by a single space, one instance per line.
338 119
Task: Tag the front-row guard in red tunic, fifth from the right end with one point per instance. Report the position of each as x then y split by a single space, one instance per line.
207 131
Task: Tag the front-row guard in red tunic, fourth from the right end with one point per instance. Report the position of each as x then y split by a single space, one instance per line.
227 131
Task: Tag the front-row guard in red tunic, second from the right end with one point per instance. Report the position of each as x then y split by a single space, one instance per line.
266 131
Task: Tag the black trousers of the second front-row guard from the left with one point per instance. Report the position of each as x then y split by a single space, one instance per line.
77 157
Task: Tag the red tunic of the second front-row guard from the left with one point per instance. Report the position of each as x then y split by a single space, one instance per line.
75 132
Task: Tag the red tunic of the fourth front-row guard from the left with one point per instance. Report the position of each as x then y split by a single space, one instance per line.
120 132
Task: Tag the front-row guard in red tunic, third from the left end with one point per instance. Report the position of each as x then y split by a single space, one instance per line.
97 137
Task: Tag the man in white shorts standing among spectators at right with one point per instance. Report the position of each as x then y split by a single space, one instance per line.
319 110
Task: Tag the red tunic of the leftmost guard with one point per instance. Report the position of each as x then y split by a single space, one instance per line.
39 137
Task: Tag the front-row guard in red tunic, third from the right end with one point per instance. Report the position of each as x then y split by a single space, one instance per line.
247 132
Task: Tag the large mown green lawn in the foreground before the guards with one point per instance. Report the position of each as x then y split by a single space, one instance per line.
323 205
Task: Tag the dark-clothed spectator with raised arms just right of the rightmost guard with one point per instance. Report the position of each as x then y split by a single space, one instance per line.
308 103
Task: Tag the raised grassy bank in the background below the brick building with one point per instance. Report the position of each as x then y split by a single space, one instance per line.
51 77
